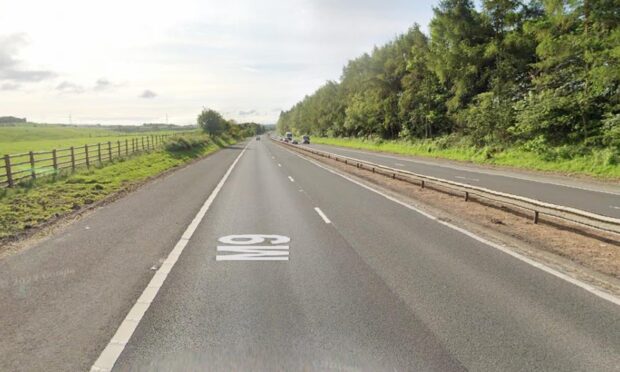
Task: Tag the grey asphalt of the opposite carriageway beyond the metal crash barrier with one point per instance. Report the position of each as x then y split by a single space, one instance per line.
587 196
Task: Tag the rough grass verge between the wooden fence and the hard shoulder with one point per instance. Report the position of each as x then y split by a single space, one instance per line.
31 204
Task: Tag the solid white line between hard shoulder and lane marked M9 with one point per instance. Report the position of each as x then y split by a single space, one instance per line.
115 347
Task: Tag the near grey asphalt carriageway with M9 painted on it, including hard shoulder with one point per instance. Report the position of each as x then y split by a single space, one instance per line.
287 267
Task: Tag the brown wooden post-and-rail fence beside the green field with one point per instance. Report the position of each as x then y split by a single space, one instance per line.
34 164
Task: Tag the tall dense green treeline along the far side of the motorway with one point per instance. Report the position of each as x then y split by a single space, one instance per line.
539 74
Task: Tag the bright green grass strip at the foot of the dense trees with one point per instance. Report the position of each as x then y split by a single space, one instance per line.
599 163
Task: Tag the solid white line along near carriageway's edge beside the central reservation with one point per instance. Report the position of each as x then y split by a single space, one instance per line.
595 291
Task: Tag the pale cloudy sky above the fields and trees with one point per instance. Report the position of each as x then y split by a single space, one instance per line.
136 61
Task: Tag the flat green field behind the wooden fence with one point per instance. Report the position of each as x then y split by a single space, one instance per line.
42 137
